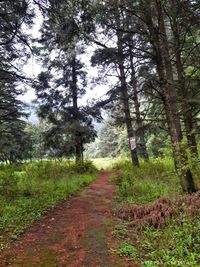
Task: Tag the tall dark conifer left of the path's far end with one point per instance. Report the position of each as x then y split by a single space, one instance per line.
63 82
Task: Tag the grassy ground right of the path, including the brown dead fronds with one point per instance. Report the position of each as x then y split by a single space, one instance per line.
146 196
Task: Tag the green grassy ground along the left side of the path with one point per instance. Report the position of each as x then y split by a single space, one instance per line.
27 191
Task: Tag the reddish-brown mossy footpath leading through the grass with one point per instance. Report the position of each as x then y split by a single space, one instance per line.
76 233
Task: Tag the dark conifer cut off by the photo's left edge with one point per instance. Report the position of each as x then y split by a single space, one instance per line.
15 16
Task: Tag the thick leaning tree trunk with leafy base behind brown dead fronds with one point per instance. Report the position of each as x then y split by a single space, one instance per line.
171 107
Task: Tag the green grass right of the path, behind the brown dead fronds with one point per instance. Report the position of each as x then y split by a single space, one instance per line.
142 185
